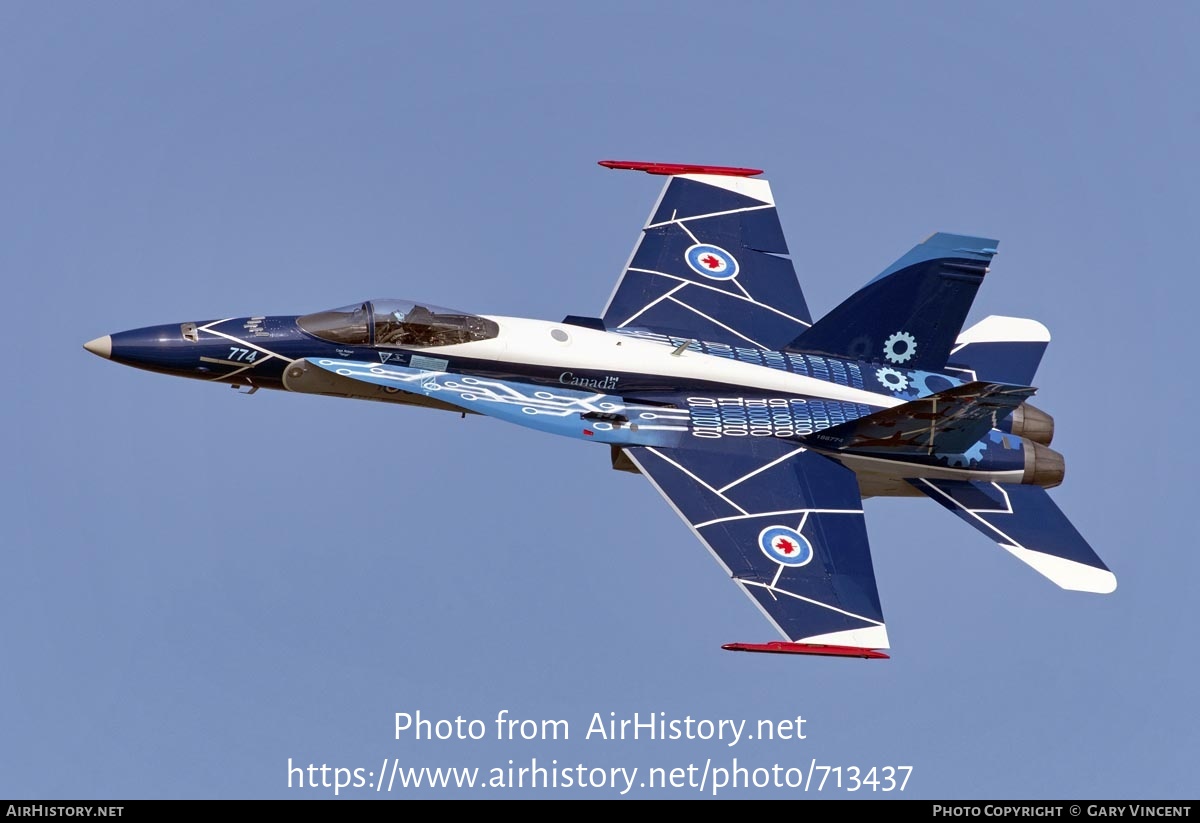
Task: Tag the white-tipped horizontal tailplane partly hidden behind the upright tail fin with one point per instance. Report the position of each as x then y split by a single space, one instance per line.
999 349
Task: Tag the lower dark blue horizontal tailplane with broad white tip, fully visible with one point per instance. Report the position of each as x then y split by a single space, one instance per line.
1027 522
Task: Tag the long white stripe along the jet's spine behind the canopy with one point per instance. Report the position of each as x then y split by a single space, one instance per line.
525 341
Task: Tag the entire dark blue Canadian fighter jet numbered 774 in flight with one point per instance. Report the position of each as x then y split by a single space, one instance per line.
706 374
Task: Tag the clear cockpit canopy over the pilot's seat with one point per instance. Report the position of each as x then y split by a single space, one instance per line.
400 323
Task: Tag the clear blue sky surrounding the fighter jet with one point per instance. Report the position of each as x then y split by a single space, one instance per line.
202 586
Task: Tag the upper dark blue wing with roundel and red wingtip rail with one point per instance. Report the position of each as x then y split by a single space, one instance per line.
706 266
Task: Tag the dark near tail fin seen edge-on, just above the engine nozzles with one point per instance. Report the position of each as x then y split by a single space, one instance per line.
949 423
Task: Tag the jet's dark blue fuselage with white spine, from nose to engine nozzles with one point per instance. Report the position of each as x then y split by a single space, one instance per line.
619 388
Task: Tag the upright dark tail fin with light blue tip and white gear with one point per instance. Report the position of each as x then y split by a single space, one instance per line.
913 313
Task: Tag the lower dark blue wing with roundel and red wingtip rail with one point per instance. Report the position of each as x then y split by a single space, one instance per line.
788 526
